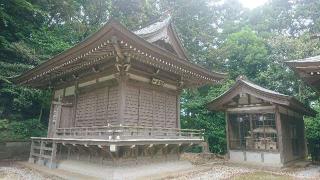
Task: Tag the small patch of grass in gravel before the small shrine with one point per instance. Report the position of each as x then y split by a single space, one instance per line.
261 176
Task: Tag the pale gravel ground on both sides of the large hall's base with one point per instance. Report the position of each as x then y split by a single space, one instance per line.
213 170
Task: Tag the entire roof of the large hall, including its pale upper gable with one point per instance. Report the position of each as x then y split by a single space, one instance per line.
156 45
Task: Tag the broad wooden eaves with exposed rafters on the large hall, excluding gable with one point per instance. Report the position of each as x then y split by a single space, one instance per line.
98 47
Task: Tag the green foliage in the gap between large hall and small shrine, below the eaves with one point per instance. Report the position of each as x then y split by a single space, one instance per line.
195 115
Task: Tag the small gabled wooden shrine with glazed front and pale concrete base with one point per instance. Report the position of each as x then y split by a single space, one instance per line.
263 127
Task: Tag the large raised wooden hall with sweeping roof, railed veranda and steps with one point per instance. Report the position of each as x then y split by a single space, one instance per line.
116 97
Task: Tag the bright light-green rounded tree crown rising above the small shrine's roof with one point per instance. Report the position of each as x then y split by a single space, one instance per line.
245 54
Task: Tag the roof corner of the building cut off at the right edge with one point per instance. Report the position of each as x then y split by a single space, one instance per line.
308 69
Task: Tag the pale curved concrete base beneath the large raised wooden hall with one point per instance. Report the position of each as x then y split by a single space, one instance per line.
122 171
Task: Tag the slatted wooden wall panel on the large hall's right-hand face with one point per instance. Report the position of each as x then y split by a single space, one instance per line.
150 107
